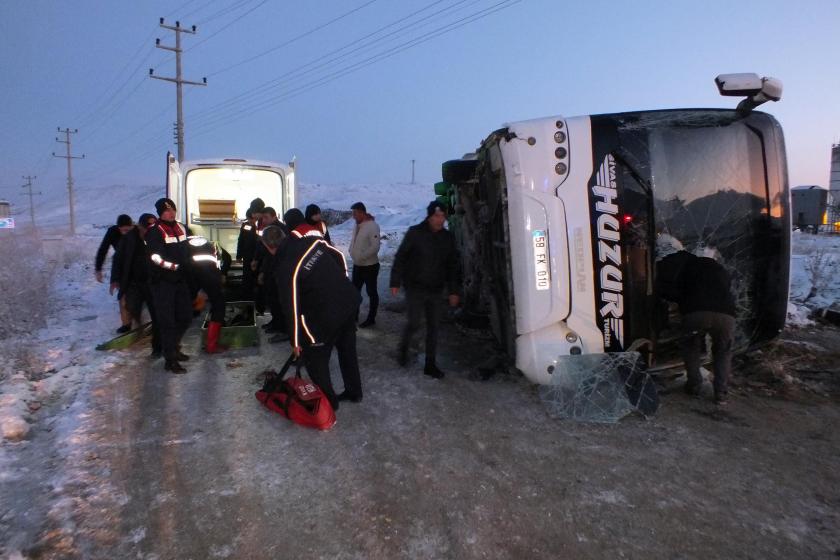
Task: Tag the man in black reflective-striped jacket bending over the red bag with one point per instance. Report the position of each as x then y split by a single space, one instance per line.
321 304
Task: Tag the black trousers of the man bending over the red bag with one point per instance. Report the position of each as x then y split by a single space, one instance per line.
317 360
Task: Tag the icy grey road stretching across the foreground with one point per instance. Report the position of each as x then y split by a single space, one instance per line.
123 460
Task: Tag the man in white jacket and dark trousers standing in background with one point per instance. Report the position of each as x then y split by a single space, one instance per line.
364 250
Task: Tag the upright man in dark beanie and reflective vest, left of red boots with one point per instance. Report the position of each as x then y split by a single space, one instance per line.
169 258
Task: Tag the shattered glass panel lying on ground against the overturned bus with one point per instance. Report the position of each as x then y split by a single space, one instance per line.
601 388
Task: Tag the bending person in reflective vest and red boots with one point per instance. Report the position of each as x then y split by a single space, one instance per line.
206 272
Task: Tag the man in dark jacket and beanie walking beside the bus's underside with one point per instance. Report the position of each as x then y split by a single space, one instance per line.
426 262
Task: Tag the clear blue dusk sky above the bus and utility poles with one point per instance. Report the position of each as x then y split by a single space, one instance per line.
308 79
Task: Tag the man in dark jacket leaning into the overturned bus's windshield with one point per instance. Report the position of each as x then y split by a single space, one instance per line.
701 288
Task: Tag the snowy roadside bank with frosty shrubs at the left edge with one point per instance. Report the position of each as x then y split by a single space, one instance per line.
54 285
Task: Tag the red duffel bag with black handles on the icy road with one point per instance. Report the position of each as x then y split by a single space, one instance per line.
299 400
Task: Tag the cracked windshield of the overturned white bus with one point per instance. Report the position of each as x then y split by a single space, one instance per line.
715 194
